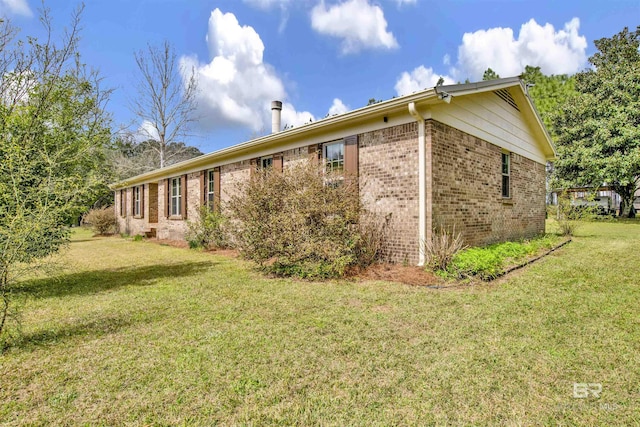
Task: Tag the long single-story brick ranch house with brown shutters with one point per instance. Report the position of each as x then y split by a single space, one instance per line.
471 156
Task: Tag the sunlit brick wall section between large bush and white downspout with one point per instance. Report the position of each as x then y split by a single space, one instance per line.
389 185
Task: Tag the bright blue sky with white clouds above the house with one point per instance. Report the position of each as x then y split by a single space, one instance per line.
325 56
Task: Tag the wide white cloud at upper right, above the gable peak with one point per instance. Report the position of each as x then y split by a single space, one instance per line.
555 52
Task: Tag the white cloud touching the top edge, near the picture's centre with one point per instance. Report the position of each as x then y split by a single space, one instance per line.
358 23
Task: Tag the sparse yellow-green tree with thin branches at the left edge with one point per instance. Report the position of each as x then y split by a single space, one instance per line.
53 131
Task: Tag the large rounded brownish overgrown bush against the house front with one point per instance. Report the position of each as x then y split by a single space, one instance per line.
303 222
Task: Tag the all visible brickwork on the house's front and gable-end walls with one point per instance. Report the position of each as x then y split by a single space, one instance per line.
466 189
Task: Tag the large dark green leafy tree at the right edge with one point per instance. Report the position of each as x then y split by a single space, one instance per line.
598 129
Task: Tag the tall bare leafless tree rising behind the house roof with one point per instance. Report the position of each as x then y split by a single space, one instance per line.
164 104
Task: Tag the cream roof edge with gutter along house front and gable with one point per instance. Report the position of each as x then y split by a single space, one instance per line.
394 104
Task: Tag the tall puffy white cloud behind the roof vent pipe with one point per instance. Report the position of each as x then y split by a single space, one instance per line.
236 87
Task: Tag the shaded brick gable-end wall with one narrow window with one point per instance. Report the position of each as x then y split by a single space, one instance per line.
467 189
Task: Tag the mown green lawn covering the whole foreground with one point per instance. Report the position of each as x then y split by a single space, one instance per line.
141 334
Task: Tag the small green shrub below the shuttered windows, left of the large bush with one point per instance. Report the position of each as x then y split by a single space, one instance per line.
207 230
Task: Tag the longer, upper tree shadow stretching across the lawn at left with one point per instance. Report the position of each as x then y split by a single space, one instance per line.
92 282
